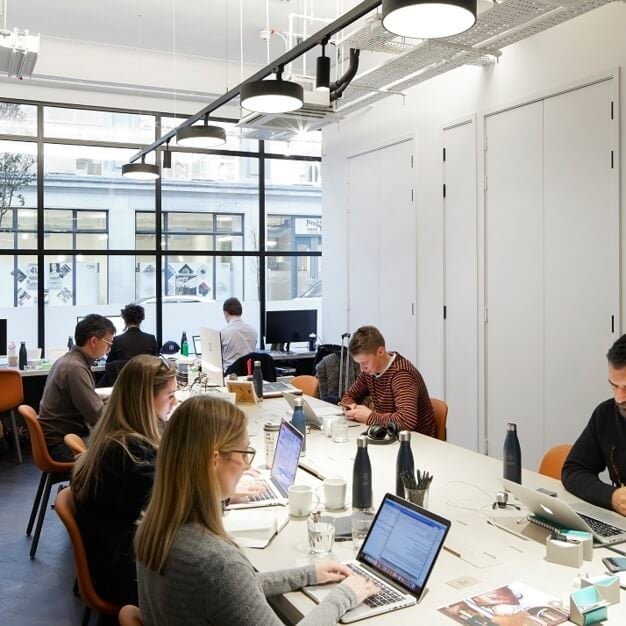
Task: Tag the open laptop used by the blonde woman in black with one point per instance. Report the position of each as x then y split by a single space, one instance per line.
283 472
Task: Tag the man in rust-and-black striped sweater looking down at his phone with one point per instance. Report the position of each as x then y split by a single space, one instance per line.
396 388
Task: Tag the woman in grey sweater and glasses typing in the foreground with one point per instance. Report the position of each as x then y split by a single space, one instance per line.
189 570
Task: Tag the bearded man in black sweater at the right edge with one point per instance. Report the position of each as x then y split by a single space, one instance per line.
602 444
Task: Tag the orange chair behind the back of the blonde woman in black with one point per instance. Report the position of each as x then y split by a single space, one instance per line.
66 510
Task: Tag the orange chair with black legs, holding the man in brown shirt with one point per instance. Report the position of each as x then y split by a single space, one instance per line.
51 472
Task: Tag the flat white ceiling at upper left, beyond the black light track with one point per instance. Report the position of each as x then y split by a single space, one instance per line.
207 28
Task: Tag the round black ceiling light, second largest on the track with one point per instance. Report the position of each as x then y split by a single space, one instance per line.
272 96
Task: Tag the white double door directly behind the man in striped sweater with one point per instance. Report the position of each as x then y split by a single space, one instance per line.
381 243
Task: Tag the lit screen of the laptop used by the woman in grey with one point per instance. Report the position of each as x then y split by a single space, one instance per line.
403 543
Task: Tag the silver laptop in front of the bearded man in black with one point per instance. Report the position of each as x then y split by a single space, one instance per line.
552 512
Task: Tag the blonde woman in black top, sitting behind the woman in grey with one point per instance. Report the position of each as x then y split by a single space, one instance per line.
112 480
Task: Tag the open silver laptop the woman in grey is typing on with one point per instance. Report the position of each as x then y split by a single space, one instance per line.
398 554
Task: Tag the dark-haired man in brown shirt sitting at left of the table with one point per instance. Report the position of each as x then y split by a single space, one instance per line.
69 403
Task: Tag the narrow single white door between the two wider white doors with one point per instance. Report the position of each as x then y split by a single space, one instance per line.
461 284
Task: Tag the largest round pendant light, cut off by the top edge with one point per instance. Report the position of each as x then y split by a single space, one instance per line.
428 19
